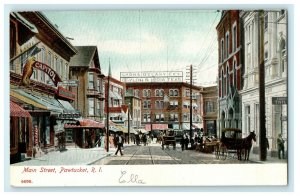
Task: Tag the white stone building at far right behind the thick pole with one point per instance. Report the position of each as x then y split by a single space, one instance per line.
275 62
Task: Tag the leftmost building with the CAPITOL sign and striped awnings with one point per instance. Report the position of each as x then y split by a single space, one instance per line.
37 66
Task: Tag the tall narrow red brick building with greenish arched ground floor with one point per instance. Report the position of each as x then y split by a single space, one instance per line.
230 70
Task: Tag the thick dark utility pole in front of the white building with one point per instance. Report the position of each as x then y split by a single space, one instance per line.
262 111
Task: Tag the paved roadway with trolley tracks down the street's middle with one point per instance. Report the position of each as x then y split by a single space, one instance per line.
153 155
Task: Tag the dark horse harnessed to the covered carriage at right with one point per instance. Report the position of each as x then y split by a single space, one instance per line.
245 145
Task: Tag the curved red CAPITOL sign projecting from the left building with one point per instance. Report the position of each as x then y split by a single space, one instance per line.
28 70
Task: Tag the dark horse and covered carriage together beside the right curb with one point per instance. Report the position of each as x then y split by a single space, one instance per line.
232 143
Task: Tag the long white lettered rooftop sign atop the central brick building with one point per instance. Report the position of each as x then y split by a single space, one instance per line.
151 76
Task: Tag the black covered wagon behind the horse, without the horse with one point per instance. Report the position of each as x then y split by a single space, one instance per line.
229 143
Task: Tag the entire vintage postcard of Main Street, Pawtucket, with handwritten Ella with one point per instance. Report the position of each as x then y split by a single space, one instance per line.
148 97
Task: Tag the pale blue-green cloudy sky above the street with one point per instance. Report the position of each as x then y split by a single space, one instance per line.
146 40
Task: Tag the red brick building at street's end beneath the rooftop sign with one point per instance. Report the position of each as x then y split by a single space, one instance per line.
166 105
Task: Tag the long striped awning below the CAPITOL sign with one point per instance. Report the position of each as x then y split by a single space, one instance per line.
38 101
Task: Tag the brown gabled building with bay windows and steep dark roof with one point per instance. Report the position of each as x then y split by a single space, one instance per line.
85 68
